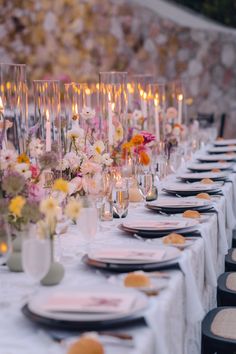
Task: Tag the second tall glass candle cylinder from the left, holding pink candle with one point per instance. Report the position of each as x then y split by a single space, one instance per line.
47 120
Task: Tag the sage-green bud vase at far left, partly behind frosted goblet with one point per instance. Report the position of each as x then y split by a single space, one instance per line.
14 261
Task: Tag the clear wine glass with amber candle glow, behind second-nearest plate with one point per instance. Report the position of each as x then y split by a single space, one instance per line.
120 196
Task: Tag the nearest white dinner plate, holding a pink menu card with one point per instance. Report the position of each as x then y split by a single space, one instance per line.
37 304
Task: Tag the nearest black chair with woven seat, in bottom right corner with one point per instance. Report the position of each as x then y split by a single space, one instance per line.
219 331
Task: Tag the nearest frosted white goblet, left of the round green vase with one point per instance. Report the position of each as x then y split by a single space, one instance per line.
36 253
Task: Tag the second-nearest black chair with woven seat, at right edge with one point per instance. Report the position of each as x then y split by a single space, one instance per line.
226 289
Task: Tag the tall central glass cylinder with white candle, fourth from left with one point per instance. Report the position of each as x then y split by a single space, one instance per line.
113 108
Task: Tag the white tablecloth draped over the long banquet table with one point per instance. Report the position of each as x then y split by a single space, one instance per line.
170 326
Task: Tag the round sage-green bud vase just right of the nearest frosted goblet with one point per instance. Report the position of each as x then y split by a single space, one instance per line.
56 270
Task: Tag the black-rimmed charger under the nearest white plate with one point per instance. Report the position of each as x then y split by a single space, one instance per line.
88 321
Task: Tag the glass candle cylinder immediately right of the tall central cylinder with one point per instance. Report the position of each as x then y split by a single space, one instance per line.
138 100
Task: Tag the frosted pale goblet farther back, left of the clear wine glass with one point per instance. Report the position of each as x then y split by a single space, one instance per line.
88 220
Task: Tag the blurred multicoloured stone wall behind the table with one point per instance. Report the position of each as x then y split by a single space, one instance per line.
74 39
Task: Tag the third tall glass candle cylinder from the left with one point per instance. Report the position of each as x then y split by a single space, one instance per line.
82 108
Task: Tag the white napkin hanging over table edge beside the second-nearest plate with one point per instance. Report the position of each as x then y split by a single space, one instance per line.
194 308
